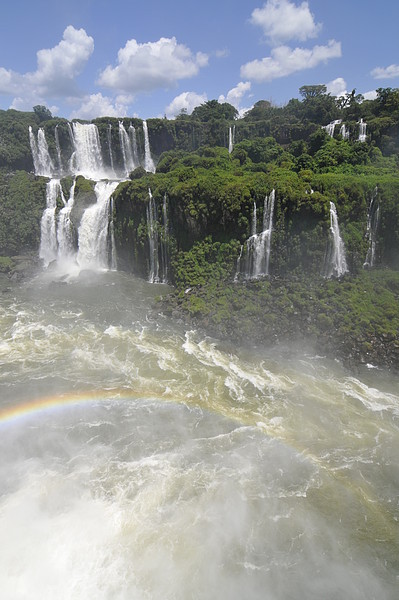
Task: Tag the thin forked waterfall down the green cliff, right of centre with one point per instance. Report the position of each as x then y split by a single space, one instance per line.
258 245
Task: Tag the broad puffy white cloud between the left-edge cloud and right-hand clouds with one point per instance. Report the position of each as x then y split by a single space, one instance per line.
152 65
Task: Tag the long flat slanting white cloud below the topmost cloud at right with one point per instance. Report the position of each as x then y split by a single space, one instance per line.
284 61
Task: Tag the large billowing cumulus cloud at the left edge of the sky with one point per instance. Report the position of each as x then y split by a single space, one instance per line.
56 70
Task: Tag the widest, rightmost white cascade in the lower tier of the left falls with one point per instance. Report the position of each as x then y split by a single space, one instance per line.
93 234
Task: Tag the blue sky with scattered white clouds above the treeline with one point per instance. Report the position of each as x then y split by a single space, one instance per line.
89 58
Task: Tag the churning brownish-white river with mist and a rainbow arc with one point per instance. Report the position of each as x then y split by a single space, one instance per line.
143 461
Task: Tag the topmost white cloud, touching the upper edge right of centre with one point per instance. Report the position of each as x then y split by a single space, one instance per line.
282 20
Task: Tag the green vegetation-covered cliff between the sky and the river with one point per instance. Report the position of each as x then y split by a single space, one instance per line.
213 171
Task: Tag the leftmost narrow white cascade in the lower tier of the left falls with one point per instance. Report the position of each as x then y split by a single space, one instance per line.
48 250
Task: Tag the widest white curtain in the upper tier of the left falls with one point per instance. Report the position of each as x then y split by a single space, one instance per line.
87 159
